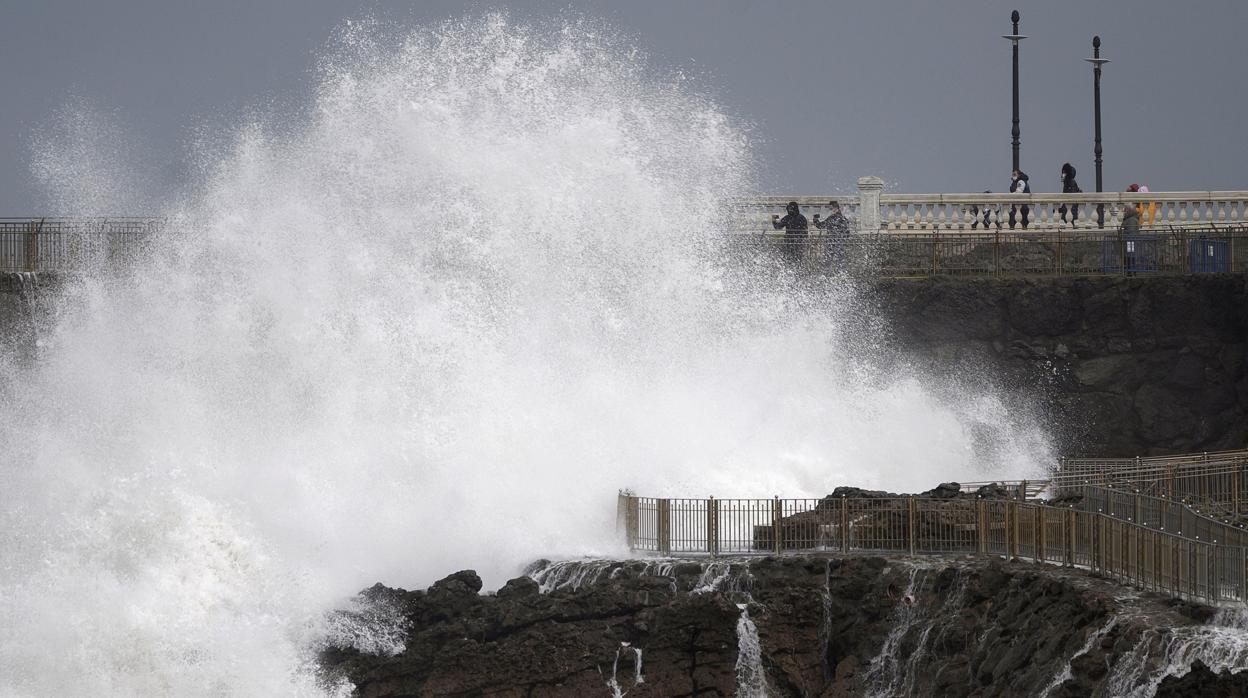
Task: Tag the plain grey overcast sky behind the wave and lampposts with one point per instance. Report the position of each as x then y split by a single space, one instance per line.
914 92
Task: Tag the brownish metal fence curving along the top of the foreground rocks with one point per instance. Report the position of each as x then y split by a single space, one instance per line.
1153 548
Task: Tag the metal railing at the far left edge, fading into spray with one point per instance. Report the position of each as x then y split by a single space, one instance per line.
59 245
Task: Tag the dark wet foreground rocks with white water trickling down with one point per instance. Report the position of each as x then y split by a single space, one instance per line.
826 626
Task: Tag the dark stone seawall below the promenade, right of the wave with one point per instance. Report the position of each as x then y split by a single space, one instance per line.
1124 366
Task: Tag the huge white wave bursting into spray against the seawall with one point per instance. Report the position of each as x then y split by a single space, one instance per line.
432 322
